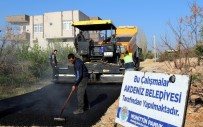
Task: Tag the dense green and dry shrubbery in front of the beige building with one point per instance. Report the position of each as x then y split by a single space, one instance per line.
20 65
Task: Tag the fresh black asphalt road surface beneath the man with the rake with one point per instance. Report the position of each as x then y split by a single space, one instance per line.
39 108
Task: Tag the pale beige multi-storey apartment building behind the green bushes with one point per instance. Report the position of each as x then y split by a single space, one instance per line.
46 28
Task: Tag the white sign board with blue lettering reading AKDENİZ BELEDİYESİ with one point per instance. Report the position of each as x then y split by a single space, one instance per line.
153 100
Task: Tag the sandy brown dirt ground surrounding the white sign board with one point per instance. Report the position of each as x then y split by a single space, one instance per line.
194 116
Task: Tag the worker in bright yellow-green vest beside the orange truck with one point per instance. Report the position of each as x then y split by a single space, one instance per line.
128 62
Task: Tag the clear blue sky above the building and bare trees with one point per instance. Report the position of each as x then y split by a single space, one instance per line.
151 16
